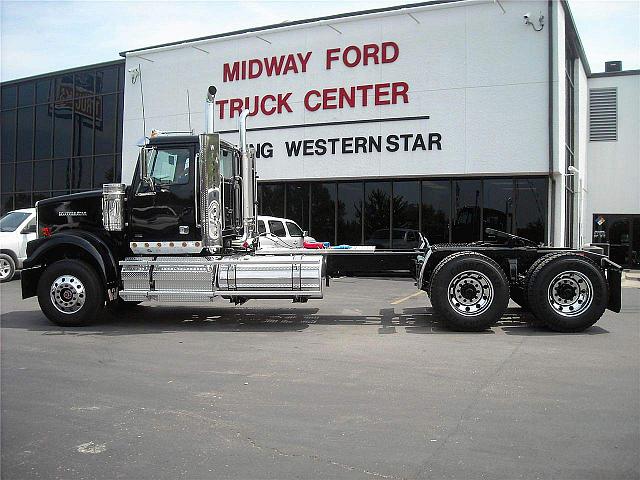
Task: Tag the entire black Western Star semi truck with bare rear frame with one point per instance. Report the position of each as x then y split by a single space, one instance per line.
185 230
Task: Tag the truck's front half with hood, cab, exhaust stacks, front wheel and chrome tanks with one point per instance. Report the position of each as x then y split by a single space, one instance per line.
184 230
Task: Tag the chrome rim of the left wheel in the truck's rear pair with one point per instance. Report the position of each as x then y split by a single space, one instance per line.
470 293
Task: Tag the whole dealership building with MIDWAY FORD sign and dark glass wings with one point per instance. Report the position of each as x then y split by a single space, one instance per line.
444 117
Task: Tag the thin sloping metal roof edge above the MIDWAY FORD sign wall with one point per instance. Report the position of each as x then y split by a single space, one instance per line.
295 23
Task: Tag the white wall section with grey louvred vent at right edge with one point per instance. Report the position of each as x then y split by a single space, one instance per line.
613 181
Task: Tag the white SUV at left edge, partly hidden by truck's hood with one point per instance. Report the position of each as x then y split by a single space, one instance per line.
16 229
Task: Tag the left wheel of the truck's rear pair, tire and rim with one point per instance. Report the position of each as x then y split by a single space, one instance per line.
469 291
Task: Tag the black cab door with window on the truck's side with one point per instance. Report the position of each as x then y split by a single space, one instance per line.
163 209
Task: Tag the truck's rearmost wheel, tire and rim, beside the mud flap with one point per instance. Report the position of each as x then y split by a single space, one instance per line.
568 293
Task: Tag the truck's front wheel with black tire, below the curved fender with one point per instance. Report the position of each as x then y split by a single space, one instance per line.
70 293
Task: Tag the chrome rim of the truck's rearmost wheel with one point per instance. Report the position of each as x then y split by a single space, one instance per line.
570 293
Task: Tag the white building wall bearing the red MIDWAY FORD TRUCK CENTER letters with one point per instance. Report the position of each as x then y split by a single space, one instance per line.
478 72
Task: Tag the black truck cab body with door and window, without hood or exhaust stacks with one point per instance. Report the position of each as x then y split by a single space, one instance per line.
163 200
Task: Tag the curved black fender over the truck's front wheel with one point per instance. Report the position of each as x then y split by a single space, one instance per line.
77 244
